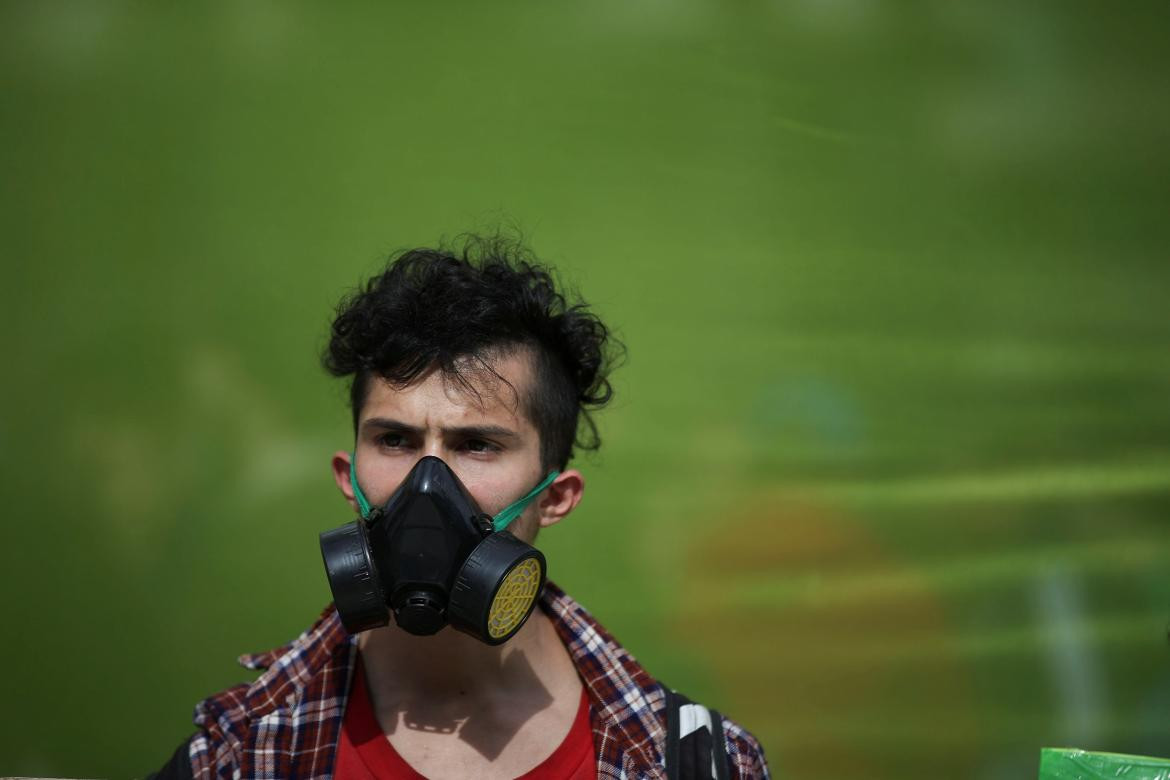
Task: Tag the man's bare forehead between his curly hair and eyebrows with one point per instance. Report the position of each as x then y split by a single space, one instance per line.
480 394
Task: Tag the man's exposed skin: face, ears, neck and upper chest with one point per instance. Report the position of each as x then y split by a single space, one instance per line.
450 705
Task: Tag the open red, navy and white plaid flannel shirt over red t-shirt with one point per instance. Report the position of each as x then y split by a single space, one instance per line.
286 724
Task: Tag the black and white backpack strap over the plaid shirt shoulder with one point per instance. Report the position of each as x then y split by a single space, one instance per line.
696 746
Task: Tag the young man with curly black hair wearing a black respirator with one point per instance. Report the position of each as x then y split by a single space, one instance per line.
472 377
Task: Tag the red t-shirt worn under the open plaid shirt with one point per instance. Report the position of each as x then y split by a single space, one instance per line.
364 754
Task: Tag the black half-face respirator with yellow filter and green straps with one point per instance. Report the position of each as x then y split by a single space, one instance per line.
431 557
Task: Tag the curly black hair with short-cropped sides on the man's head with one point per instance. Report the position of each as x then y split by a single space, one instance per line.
460 309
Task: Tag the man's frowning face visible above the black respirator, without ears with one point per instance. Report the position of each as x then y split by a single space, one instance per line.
484 437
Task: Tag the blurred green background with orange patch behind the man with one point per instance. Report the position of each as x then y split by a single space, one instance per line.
889 471
